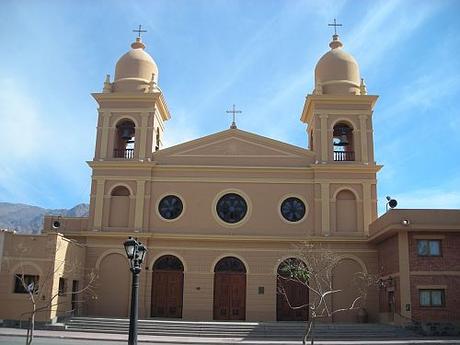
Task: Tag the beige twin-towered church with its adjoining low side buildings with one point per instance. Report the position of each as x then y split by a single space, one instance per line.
220 214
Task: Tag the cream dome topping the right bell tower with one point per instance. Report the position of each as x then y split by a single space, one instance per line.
337 72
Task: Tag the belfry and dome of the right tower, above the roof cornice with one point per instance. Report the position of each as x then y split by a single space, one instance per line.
339 111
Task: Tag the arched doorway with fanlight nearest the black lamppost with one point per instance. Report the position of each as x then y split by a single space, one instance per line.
167 287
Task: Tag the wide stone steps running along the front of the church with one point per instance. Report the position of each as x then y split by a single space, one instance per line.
236 329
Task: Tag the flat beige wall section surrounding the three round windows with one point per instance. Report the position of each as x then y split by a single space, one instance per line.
263 202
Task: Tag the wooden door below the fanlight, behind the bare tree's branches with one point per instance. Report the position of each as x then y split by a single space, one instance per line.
298 295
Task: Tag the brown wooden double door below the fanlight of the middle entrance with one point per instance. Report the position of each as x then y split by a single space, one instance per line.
229 296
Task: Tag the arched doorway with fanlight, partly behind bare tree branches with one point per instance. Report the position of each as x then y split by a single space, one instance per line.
290 289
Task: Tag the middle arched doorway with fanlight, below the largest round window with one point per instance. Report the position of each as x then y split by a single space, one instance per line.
229 289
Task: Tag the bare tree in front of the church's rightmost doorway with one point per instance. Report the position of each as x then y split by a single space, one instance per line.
313 268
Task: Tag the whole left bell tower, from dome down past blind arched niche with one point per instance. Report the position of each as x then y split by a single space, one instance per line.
131 116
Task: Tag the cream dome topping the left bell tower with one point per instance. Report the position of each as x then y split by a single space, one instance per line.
134 70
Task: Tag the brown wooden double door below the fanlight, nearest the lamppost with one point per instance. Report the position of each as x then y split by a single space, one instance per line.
167 294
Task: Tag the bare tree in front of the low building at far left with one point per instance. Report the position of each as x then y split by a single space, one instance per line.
41 291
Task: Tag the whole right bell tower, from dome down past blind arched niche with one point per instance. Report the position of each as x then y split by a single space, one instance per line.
338 115
